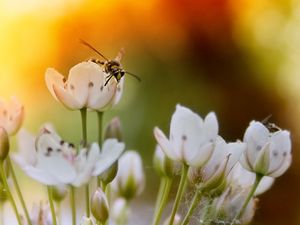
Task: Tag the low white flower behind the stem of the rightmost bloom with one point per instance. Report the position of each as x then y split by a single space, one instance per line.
245 179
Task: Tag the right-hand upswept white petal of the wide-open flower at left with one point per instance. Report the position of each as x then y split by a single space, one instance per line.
112 150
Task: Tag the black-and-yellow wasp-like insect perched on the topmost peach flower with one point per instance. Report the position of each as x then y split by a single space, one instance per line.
112 67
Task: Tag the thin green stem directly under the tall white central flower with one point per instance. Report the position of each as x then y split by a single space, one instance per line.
180 192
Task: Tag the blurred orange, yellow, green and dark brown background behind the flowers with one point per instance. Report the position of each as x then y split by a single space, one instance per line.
237 58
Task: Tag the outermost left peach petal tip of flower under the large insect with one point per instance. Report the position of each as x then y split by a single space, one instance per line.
53 77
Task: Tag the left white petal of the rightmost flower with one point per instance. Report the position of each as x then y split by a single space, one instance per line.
256 136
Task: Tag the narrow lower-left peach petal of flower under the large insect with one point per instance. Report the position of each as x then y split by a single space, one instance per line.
66 98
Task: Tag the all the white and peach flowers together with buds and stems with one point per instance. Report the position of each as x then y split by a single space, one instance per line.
225 177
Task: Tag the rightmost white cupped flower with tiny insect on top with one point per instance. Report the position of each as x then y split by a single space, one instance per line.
267 153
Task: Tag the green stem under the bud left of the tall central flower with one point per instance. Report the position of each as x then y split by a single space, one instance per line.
162 200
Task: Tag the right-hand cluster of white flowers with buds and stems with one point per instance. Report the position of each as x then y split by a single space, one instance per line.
226 176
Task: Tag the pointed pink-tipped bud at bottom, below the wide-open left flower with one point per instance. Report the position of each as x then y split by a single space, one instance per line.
99 206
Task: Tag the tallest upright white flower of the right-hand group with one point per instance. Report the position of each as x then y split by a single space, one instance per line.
191 138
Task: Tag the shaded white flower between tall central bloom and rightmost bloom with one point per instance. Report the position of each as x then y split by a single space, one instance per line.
215 171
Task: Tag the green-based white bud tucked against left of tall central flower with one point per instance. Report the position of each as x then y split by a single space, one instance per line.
162 164
